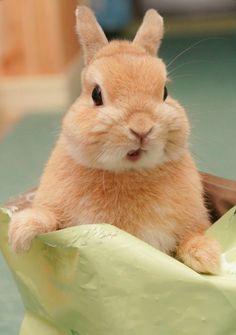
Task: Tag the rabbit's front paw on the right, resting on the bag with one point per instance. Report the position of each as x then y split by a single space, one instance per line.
202 254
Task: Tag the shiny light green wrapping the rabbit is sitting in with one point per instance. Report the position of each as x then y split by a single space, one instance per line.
99 280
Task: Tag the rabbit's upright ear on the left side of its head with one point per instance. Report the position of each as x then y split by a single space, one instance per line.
91 35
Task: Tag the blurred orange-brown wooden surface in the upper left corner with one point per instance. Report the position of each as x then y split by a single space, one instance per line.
36 37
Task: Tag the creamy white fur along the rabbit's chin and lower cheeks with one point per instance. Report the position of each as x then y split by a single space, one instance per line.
117 160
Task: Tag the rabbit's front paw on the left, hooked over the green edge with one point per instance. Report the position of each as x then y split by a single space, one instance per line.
25 225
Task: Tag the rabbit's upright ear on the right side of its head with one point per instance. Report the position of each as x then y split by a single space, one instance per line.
150 32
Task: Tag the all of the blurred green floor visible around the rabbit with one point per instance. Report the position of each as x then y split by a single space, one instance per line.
204 80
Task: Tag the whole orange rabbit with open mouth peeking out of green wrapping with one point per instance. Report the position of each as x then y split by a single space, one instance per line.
122 155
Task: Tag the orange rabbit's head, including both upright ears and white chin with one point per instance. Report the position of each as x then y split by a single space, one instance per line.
123 119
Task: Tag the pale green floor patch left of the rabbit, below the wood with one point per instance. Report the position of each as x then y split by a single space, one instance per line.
24 152
